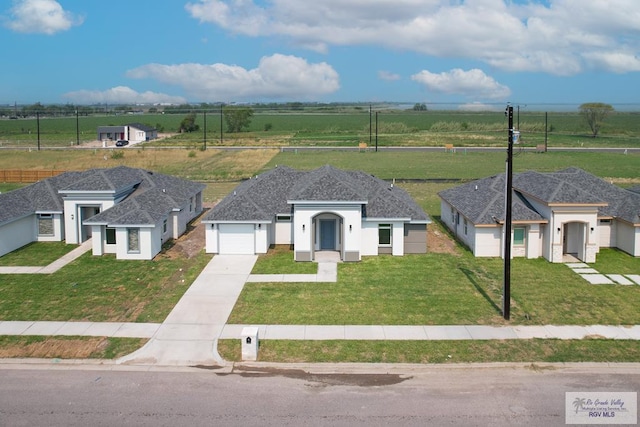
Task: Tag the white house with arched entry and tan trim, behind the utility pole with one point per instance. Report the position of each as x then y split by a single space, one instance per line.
553 214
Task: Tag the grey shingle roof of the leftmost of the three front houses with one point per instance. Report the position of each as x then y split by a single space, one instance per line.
150 194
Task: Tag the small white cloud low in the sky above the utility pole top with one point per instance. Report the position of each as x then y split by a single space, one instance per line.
472 84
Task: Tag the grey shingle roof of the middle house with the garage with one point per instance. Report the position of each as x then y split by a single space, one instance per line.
274 192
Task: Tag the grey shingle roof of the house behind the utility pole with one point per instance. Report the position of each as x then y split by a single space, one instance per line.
482 201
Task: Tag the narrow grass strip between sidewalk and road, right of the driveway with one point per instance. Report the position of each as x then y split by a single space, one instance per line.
534 350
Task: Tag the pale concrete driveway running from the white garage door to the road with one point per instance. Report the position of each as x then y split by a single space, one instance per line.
188 334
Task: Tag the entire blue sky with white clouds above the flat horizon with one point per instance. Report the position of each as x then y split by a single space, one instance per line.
462 53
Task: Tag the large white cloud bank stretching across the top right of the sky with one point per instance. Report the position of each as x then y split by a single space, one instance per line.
552 36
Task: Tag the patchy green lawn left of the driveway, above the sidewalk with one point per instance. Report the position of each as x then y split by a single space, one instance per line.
100 289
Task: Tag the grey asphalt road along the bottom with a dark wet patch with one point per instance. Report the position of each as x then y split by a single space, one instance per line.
422 396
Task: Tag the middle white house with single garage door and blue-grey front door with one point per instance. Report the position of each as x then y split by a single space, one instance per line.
326 209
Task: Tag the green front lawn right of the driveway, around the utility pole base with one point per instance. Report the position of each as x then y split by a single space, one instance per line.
439 289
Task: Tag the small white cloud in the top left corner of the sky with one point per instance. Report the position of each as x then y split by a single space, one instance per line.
40 16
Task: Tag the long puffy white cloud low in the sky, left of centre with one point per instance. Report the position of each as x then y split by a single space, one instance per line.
277 76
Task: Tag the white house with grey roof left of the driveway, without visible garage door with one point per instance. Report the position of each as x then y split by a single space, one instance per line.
129 212
